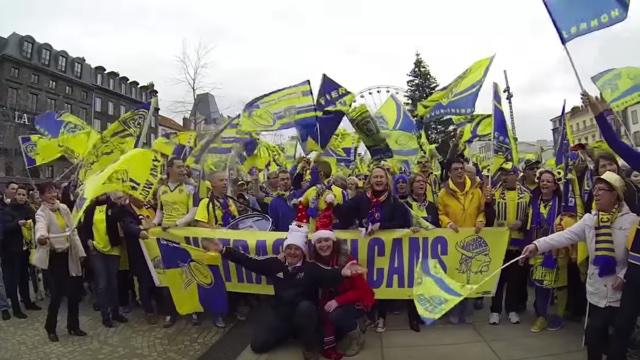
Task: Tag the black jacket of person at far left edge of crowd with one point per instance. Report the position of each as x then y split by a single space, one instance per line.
13 241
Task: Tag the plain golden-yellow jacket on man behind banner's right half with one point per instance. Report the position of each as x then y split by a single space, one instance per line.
463 208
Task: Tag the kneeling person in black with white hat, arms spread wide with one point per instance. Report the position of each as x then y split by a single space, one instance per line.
295 282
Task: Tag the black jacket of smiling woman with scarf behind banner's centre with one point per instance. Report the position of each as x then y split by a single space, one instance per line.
394 215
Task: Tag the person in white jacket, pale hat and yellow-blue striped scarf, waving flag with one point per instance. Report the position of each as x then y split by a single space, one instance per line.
605 232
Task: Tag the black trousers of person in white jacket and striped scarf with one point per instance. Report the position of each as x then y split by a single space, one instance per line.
597 331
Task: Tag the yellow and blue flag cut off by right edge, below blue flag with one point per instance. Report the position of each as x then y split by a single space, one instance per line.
619 87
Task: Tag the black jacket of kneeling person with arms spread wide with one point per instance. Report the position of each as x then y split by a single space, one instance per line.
290 286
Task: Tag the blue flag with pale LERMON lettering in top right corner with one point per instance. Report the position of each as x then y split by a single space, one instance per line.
576 18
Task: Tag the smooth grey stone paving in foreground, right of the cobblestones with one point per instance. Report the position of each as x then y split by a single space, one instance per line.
452 342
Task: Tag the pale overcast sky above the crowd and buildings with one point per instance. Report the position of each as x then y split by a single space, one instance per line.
264 45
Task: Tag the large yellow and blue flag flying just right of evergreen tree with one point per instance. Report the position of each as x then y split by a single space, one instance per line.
459 97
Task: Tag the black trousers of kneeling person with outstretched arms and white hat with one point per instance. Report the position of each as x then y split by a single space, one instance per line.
279 325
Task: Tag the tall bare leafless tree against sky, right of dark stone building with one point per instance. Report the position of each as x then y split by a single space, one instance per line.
194 64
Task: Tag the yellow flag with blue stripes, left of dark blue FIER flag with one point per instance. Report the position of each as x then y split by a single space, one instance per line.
279 109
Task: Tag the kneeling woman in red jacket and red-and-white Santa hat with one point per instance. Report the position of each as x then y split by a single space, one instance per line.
343 305
